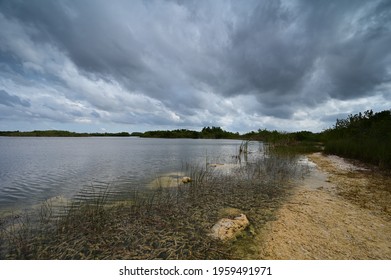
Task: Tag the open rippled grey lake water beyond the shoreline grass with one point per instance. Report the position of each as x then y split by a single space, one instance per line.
35 169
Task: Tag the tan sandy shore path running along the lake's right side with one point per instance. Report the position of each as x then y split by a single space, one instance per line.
341 211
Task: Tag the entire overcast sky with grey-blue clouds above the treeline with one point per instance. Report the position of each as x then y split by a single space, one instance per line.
95 66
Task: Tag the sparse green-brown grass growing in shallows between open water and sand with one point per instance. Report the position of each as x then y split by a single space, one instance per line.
163 223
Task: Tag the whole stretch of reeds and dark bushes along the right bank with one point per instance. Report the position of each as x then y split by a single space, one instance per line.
363 136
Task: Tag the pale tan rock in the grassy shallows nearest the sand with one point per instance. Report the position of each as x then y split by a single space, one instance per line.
226 228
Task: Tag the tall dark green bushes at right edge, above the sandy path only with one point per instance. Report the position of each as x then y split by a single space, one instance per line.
364 136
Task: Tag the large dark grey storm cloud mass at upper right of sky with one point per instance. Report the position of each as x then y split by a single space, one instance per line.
277 52
